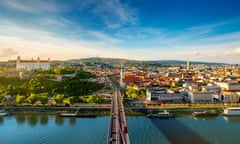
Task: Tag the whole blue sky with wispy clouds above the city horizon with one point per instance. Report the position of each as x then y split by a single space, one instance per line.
195 30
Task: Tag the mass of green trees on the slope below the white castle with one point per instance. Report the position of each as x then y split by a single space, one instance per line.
40 88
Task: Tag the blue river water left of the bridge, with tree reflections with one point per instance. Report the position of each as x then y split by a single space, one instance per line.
41 129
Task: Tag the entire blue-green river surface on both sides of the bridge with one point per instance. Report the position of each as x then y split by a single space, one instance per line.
44 129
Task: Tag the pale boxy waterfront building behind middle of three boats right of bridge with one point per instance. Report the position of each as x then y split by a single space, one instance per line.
201 97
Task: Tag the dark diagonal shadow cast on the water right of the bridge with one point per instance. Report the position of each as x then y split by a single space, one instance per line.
176 132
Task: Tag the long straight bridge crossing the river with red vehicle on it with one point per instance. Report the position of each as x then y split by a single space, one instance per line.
117 133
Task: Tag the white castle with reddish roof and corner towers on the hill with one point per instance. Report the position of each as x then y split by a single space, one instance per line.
32 64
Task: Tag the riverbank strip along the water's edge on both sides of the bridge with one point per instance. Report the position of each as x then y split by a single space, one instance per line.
105 110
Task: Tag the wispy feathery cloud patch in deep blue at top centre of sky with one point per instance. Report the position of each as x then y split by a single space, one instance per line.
113 13
